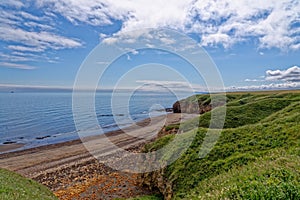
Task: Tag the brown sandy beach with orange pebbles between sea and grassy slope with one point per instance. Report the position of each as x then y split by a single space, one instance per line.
72 172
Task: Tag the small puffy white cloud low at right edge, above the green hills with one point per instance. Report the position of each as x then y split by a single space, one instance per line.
291 75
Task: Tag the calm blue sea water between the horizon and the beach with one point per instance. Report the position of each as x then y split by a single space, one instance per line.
37 119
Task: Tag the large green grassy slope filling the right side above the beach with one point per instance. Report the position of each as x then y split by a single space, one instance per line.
256 156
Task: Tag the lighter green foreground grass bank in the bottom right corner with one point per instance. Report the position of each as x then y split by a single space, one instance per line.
271 177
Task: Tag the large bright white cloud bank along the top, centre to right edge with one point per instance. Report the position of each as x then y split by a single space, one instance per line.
271 23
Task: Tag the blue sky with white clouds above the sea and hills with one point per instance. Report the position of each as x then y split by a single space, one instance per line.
253 44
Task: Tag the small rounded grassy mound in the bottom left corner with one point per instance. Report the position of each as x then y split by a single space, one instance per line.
14 186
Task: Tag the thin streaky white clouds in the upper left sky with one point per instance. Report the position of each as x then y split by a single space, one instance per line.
28 33
